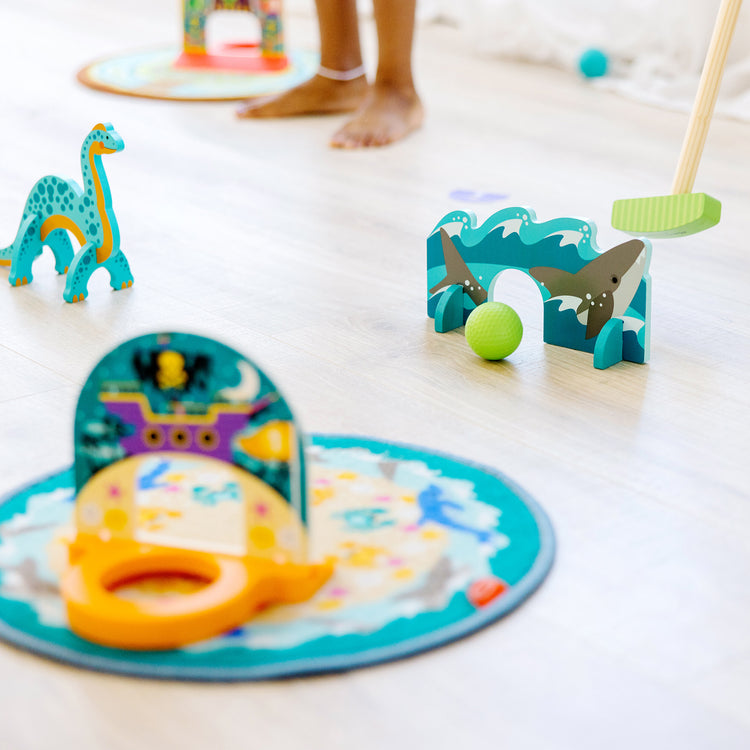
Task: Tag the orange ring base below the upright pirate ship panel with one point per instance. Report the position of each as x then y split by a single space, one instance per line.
238 586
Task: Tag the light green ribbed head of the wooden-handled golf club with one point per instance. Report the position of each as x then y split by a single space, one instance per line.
667 215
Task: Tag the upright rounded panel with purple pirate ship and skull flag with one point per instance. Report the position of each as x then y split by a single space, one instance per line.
171 424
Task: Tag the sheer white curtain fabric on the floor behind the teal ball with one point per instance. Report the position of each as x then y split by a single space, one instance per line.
656 48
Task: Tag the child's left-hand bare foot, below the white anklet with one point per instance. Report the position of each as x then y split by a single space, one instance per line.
317 96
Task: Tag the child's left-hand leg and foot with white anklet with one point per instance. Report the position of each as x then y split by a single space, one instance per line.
339 52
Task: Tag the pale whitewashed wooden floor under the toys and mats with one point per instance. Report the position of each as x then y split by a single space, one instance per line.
312 261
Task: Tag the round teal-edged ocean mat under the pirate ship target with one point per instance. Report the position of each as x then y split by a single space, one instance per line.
428 548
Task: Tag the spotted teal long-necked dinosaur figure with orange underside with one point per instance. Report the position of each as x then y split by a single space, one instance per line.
56 206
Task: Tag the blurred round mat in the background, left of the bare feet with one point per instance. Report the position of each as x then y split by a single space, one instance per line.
152 74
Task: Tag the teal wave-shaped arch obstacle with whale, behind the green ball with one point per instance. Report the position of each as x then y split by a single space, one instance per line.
595 300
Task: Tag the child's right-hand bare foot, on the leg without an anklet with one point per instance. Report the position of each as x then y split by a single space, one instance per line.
387 114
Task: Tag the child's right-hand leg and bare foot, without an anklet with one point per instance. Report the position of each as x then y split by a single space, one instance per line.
391 108
